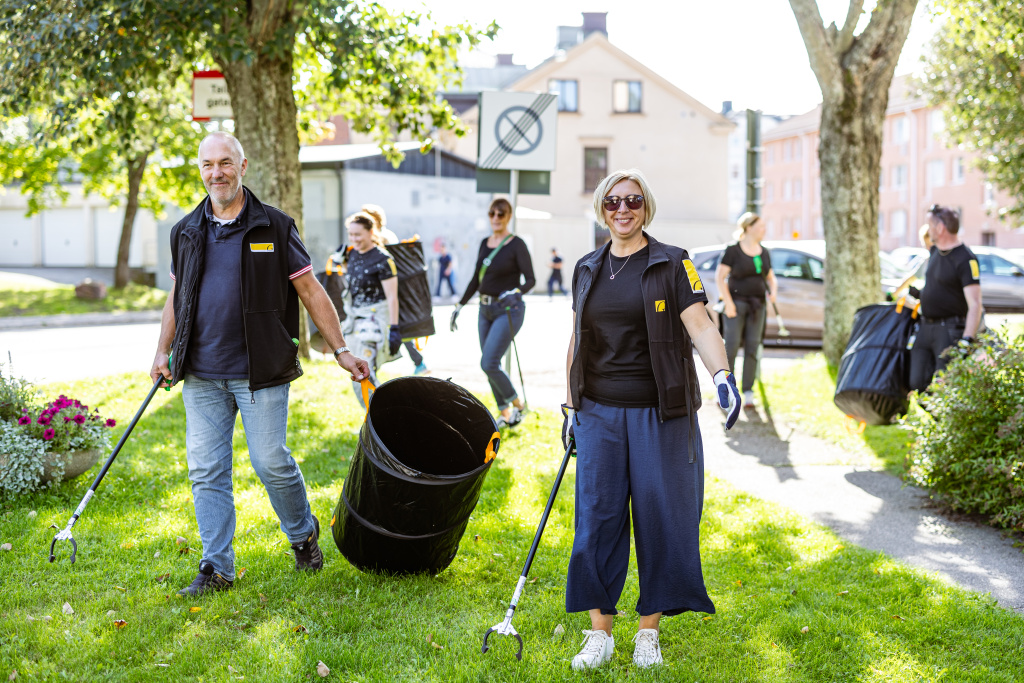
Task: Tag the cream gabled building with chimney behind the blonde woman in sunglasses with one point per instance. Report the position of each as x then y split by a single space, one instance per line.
616 113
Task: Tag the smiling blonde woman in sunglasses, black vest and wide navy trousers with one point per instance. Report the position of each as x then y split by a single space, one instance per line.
631 408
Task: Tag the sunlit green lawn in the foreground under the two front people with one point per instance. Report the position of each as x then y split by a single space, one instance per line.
772 575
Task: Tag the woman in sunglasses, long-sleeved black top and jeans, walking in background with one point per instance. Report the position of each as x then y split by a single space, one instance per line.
504 273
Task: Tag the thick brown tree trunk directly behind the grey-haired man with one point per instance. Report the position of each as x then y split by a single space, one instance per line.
266 123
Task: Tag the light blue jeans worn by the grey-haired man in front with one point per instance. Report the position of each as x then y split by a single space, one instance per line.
210 410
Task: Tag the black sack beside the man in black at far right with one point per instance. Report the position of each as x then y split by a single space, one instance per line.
874 375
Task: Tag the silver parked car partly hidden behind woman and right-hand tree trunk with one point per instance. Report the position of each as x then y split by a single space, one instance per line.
799 267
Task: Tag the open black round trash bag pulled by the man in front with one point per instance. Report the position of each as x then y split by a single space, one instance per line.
416 477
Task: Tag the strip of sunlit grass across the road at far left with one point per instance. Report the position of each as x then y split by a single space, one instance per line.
34 296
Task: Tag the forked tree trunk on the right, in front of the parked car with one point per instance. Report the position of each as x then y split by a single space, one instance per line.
855 74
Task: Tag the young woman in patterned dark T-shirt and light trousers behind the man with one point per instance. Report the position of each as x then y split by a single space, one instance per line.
373 297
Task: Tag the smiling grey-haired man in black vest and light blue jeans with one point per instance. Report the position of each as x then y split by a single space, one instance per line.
232 322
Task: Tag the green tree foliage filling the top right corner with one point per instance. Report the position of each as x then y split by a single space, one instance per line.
976 74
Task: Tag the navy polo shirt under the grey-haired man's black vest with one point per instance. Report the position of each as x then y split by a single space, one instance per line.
218 345
